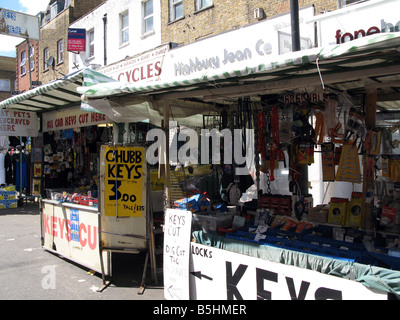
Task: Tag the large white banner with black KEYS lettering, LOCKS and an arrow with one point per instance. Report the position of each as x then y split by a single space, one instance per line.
217 274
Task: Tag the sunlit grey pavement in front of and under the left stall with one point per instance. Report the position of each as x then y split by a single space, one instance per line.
29 272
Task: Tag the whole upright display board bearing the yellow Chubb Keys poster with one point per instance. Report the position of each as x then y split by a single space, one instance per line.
123 197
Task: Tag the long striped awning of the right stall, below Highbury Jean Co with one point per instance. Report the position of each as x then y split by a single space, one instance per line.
363 53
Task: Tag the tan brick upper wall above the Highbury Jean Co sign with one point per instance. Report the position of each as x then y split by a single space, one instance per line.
193 22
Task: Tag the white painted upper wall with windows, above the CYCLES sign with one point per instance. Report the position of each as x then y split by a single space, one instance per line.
138 42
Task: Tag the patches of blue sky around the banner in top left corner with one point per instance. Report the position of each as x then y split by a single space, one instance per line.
7 43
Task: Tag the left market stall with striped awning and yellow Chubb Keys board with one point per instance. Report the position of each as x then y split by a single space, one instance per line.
92 176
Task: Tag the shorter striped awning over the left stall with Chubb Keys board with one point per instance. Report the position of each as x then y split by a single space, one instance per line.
59 94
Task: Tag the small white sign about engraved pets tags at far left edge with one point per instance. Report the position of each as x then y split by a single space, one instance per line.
18 123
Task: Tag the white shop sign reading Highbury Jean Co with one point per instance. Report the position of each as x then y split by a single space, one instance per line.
237 49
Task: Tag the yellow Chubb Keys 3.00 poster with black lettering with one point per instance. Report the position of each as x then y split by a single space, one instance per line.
124 181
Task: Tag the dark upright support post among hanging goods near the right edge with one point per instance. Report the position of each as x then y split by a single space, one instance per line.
368 181
